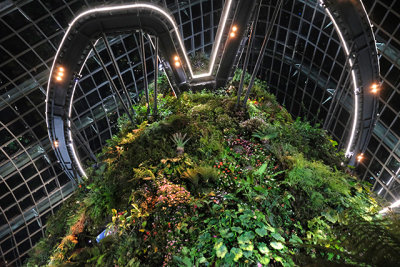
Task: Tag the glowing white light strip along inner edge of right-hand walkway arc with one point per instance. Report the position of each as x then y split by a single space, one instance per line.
348 153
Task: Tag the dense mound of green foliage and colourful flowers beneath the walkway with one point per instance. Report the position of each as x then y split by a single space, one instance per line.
208 185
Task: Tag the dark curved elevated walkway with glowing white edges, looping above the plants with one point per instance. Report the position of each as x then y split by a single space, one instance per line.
349 18
